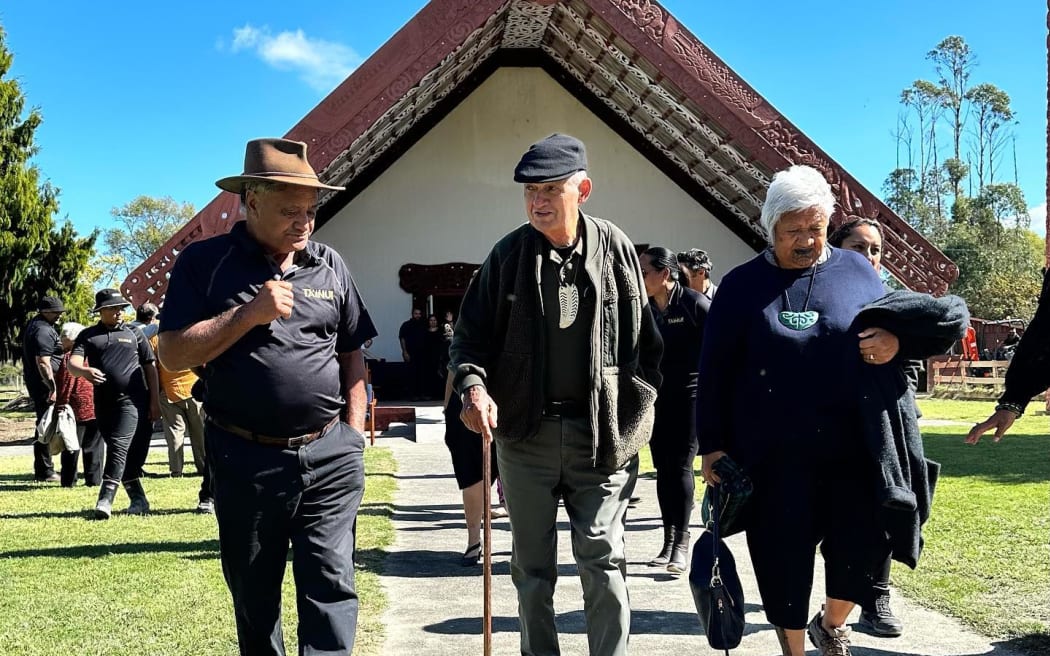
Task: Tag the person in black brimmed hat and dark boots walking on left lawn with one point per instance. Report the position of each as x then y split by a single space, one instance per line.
116 358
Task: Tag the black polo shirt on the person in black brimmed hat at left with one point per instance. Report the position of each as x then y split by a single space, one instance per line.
119 353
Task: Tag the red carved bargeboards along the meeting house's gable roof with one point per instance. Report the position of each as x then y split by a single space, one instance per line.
431 39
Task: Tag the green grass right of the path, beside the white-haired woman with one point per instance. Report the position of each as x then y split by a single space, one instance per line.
988 559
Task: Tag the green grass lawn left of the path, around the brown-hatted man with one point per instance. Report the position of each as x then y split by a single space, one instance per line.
145 585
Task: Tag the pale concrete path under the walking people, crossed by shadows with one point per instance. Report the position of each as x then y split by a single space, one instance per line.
436 605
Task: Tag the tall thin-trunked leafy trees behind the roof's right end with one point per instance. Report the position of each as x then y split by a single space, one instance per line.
986 230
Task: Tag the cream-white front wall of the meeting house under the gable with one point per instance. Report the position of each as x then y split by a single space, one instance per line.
452 196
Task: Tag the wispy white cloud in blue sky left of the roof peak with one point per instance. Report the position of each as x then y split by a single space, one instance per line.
322 65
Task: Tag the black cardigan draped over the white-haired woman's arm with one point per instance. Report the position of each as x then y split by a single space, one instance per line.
926 327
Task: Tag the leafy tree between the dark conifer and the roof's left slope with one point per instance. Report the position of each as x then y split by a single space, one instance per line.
145 225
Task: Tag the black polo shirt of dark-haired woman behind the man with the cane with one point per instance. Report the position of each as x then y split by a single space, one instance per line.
682 327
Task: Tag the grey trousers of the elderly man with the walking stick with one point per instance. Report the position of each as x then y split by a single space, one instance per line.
557 464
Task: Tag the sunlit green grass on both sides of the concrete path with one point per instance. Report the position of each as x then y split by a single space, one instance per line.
154 585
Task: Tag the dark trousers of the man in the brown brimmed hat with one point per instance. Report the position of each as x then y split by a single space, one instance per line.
268 499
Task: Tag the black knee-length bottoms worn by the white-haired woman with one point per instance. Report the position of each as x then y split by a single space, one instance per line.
805 496
